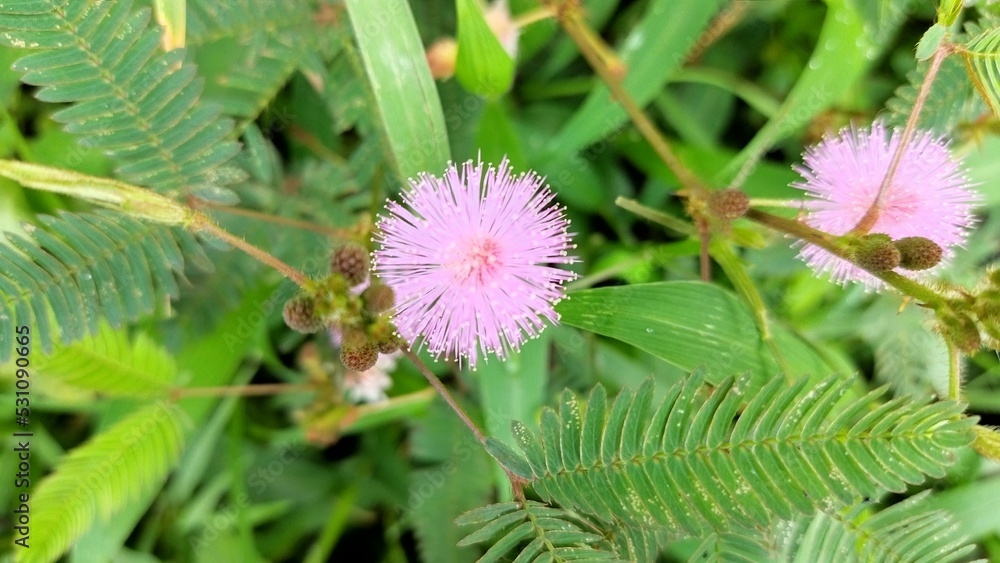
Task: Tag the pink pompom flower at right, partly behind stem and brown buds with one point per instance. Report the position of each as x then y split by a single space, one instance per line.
930 196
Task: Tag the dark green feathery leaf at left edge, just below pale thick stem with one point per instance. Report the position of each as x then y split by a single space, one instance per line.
88 267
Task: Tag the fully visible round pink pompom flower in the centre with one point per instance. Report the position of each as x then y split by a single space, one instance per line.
469 258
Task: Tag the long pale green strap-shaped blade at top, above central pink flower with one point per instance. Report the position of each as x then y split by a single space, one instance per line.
407 99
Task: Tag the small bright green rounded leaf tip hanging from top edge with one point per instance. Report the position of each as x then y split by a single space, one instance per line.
482 65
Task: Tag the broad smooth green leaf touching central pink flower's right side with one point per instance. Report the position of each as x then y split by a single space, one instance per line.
689 324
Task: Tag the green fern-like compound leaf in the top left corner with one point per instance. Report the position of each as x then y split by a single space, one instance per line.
132 101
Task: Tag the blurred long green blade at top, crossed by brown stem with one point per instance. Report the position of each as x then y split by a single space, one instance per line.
653 50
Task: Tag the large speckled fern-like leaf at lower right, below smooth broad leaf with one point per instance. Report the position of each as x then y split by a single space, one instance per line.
686 467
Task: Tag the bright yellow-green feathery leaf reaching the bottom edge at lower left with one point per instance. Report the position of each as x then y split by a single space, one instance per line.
101 477
